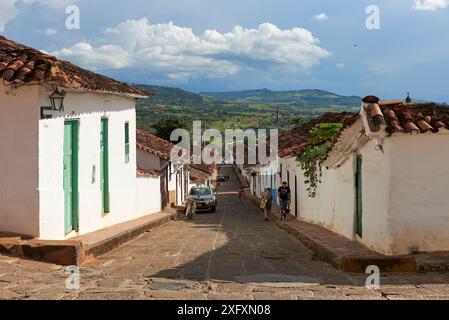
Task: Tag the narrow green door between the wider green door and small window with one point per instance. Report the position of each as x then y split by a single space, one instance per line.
104 166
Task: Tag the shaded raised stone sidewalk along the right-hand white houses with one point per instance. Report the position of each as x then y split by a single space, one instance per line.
341 252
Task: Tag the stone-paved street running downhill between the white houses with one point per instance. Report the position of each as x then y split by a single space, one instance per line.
231 254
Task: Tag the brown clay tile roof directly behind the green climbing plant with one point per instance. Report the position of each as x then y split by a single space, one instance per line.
292 143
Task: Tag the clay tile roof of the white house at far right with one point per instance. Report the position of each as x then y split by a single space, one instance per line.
413 118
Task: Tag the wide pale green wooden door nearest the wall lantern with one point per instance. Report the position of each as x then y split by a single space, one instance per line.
71 176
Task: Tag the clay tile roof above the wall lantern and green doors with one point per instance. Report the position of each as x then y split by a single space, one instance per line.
20 64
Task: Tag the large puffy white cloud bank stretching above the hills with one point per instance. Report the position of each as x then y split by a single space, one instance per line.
181 54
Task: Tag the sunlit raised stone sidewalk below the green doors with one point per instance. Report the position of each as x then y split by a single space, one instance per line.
84 248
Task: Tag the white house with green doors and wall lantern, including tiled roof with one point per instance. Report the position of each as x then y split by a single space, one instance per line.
68 148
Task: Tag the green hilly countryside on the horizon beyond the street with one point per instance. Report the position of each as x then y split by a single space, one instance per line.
262 108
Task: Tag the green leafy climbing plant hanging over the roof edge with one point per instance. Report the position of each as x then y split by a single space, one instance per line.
323 137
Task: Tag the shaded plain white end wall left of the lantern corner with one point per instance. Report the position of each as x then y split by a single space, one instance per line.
19 198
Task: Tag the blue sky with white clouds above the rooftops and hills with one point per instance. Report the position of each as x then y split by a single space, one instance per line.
204 45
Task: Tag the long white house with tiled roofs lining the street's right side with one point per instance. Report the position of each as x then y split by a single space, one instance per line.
384 182
